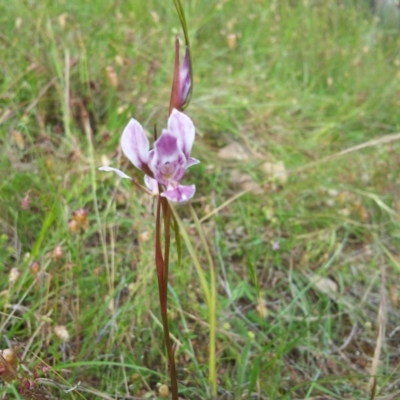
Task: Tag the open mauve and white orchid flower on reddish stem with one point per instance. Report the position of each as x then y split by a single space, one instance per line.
166 164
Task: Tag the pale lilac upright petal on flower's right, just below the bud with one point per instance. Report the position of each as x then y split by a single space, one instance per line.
181 126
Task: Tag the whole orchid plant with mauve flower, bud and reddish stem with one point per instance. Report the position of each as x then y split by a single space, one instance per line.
164 167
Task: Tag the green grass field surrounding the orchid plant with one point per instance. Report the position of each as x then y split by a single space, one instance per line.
305 81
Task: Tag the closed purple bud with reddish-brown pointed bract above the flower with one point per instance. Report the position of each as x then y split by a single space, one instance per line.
182 82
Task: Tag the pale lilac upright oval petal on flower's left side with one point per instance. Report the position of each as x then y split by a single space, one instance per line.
135 144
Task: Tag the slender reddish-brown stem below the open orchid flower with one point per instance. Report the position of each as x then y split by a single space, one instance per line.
162 275
